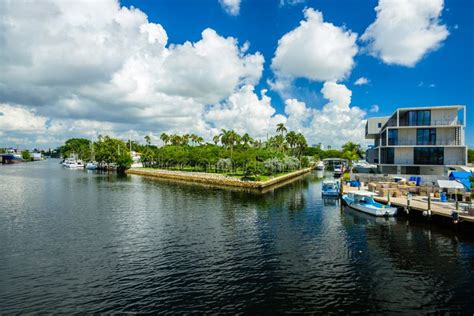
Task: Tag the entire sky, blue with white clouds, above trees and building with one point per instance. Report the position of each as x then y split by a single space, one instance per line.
133 68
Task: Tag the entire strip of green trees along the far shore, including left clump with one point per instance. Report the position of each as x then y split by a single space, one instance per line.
229 153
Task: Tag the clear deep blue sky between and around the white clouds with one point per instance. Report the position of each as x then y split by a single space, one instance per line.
450 68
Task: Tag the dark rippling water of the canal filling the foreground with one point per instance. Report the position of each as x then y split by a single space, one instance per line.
73 241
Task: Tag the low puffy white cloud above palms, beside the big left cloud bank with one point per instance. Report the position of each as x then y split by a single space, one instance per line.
244 112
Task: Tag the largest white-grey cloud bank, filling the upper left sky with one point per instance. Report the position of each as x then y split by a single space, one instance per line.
106 63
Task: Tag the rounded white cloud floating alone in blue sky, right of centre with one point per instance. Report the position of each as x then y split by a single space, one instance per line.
315 50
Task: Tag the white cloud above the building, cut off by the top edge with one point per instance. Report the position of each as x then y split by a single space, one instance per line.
405 30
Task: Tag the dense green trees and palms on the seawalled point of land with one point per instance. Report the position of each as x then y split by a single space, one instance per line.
230 154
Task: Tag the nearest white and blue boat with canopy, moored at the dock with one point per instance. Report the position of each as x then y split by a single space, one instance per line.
363 201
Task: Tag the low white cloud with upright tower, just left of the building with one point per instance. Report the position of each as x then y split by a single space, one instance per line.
336 123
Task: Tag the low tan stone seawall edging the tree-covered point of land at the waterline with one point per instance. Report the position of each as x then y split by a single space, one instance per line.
215 179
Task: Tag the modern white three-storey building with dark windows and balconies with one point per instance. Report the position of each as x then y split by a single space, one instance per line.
419 140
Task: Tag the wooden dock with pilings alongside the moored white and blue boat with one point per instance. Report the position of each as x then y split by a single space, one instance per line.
420 204
